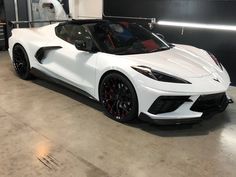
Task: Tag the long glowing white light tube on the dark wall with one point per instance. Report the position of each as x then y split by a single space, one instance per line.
197 25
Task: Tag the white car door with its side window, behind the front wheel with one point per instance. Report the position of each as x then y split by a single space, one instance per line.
69 64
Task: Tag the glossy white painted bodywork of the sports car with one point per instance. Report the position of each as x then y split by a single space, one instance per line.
84 70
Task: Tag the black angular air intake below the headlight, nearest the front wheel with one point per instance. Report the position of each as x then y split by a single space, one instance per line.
164 104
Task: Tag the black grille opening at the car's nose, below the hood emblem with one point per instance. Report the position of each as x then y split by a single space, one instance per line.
211 103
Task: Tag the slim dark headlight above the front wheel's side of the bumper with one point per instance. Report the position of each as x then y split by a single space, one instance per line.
160 76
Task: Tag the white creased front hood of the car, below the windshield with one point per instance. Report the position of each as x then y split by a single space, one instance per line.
183 61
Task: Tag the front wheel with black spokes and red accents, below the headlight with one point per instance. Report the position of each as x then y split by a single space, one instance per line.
118 97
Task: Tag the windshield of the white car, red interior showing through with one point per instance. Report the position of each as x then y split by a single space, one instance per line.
126 38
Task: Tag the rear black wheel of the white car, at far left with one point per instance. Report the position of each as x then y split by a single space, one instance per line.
21 62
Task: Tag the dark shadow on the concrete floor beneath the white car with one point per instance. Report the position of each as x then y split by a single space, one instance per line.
209 124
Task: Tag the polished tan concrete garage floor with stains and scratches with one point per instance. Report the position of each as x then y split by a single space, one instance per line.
46 130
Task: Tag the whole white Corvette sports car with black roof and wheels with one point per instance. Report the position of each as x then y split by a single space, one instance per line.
131 71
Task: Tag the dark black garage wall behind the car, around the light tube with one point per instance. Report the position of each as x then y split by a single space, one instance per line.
221 43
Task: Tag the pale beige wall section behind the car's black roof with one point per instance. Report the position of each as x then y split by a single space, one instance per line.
86 8
